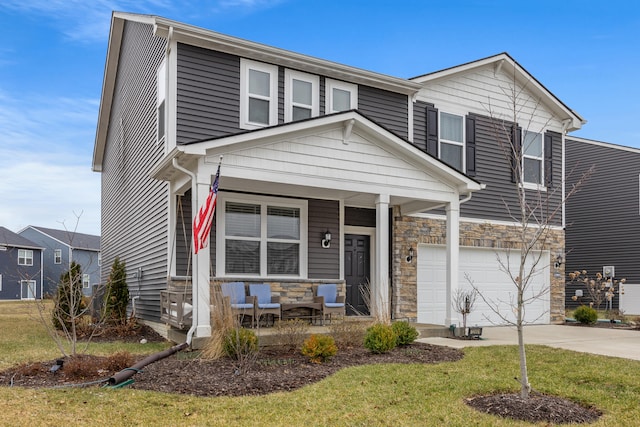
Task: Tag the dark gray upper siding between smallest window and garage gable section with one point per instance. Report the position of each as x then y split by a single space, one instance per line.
386 108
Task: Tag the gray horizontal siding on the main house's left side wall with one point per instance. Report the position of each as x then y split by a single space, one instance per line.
134 205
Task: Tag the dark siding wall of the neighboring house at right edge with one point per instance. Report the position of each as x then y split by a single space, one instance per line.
603 217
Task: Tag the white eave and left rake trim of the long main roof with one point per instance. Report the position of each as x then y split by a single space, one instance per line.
196 36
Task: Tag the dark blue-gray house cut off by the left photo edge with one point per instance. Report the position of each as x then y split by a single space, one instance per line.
21 273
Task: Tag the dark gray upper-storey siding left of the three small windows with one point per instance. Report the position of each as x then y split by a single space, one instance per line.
208 96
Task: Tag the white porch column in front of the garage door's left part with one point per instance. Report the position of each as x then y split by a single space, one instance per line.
453 263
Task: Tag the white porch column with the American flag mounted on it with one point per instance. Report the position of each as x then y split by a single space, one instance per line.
201 267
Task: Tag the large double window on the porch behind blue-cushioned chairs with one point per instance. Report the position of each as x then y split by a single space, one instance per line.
264 237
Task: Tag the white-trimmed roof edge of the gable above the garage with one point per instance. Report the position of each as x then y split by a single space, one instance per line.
503 61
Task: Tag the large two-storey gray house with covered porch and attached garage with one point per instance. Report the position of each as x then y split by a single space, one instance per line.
408 176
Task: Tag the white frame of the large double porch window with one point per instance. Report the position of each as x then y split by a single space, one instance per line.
264 202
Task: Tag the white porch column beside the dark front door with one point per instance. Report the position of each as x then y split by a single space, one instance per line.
380 290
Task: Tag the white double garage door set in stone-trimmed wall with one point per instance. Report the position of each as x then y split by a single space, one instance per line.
483 269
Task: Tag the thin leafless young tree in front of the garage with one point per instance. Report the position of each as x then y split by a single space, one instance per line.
535 210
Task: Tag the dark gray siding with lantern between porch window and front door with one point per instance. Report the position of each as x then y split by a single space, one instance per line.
324 263
